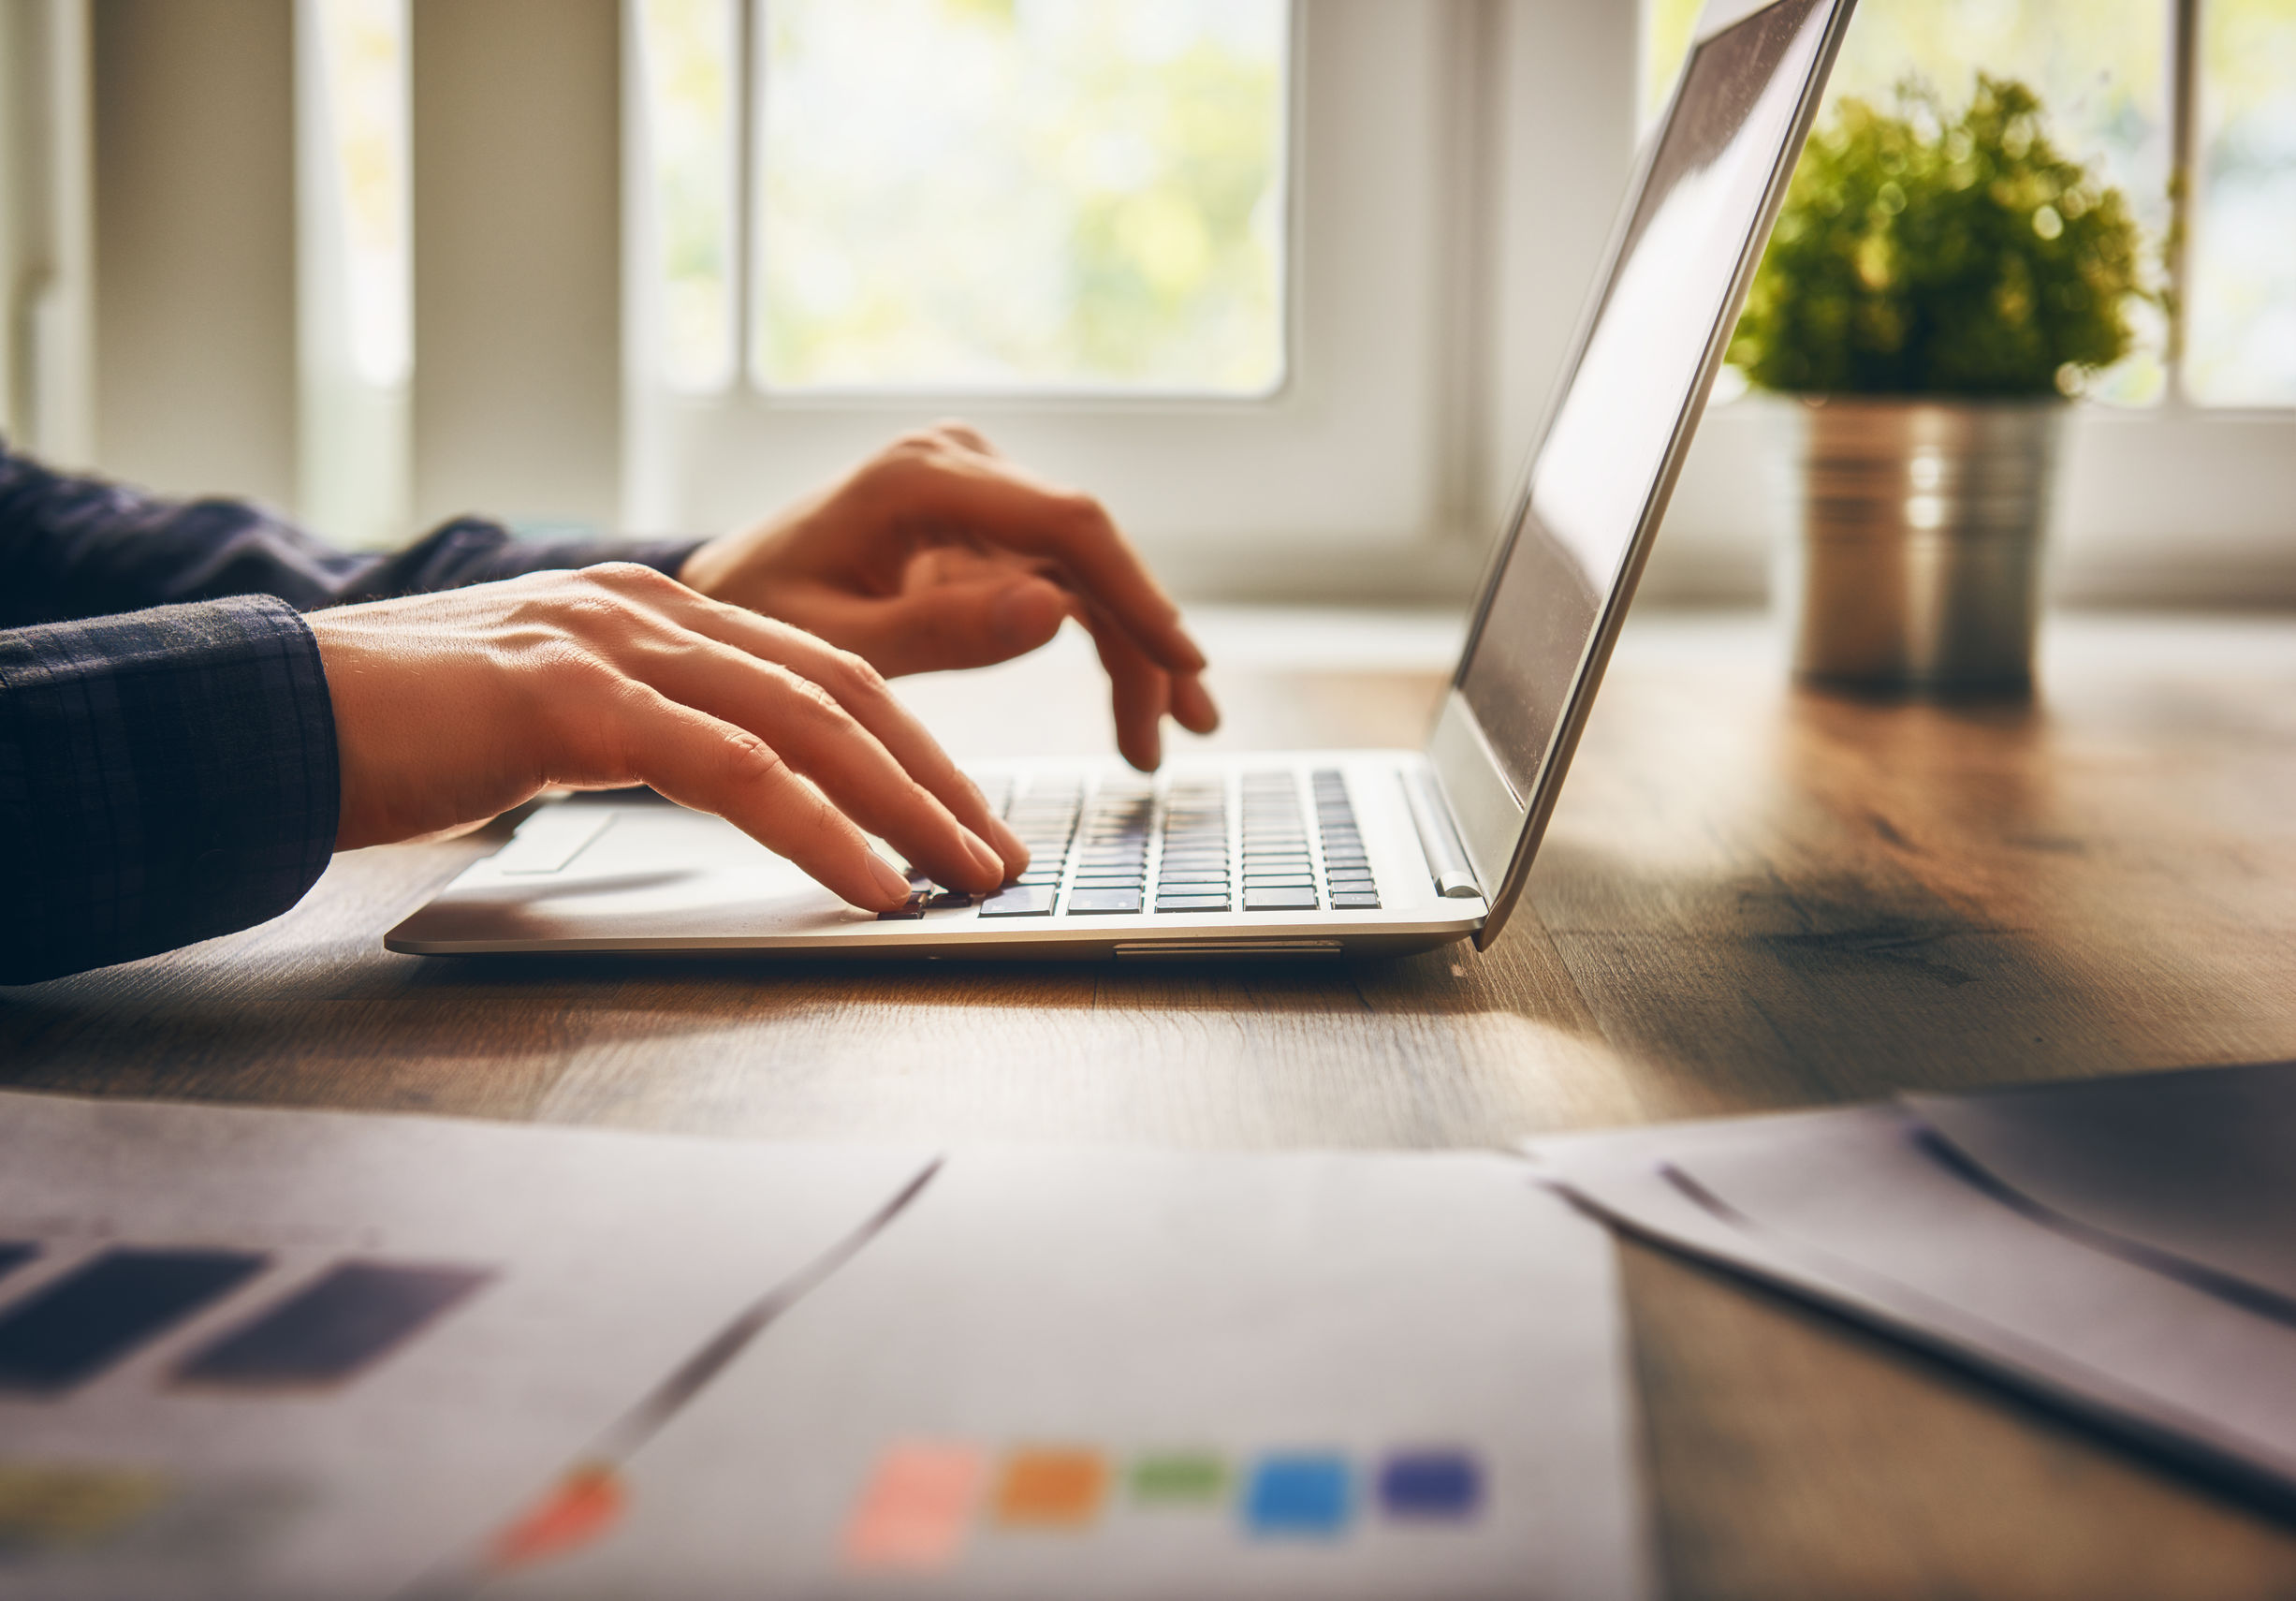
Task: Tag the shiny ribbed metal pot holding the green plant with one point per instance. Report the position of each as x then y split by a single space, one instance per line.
1916 541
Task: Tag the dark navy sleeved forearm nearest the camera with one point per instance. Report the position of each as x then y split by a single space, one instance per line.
164 778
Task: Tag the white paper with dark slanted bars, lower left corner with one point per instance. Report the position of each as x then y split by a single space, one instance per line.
614 1258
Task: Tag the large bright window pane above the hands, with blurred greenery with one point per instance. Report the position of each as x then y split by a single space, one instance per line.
1023 194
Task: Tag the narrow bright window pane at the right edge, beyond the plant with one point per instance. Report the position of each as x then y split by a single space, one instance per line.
2244 231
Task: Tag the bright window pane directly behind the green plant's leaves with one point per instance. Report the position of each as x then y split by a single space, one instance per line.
2097 65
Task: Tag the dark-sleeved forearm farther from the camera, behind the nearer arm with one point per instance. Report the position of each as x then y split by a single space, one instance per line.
84 548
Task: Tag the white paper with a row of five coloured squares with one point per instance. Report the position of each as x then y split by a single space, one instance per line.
1126 1306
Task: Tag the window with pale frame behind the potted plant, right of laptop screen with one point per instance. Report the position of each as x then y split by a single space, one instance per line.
2180 470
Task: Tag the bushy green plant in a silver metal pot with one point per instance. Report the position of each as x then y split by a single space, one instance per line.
1939 286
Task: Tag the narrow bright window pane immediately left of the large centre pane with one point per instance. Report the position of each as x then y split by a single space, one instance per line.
690 141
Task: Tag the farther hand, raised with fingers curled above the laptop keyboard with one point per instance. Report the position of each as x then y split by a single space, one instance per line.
938 552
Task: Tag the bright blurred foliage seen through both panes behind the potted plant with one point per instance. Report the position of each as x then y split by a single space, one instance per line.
2102 70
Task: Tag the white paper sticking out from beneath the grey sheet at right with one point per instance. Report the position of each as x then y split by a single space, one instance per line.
1852 1209
